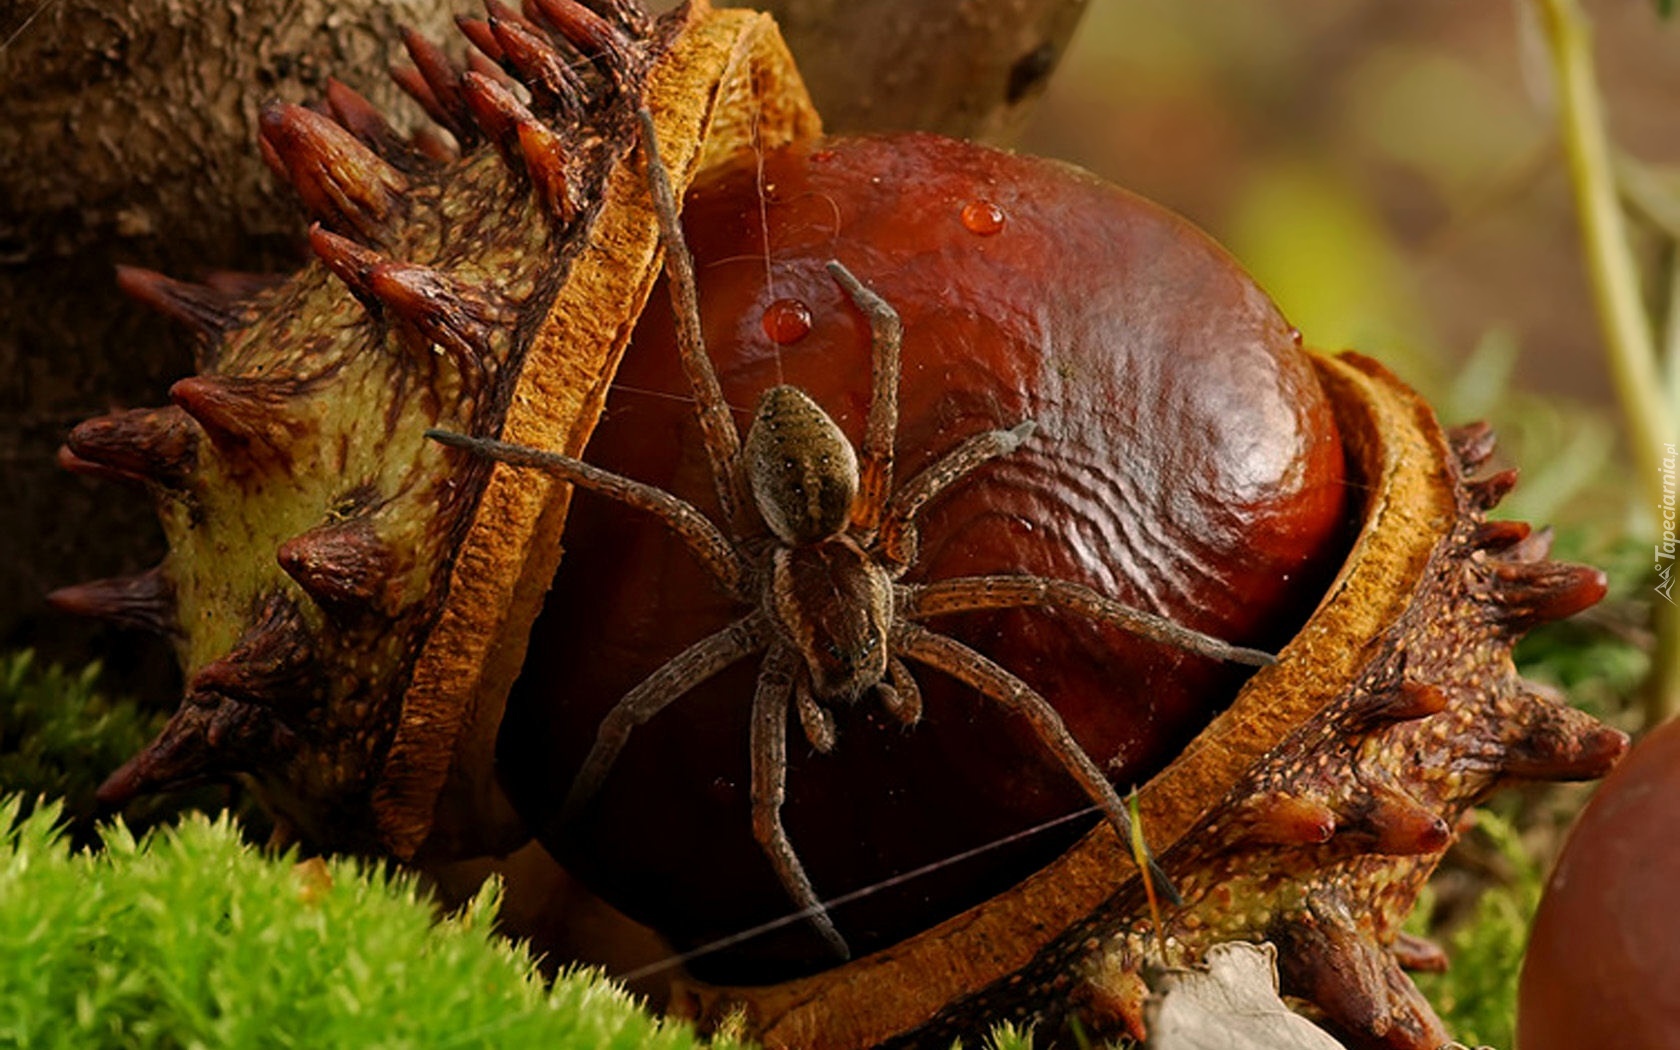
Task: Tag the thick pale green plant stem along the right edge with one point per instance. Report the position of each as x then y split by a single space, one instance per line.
1629 333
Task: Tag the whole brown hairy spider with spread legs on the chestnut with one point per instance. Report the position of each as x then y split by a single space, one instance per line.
826 604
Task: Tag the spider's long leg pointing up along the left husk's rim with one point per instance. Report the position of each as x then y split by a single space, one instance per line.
718 431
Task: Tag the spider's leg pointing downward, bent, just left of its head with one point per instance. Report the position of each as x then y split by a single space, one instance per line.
770 777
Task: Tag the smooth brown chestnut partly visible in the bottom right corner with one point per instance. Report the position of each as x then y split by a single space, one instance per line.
1605 953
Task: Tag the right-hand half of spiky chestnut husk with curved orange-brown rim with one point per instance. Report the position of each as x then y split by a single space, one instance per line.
1310 814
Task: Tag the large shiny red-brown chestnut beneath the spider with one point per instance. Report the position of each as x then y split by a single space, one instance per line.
1185 463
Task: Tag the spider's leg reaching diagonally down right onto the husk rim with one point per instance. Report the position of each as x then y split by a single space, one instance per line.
999 685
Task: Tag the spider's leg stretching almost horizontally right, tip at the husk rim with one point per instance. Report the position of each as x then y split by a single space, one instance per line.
967 594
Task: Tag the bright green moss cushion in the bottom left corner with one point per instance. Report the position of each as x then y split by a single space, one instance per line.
191 938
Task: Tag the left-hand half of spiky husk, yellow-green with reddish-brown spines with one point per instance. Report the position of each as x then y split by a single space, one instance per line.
349 601
